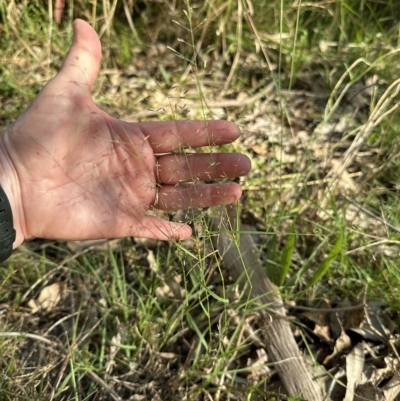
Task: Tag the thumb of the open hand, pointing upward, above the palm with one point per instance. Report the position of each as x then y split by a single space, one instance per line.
82 63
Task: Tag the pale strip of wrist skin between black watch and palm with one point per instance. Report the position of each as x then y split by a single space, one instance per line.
10 184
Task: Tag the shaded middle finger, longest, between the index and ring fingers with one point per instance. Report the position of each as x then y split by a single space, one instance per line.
176 168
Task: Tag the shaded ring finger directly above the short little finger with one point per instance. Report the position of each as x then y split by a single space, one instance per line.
177 197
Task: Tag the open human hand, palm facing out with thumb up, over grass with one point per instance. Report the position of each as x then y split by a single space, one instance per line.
73 172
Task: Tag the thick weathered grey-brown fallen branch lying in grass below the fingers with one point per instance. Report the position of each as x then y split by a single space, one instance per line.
240 256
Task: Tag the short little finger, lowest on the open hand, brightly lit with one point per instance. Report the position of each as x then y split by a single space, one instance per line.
155 228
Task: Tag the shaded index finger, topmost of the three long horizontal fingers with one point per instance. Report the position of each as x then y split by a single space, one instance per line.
175 135
